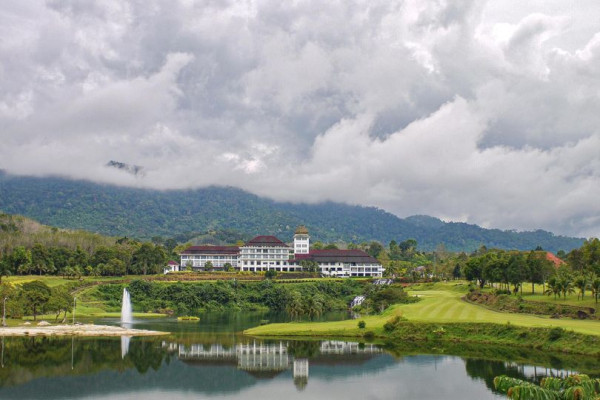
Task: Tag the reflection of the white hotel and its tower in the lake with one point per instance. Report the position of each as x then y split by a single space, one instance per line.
266 360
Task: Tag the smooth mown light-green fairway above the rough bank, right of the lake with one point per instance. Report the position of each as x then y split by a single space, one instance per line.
439 305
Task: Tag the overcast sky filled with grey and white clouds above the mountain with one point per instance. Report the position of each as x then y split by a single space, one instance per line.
486 112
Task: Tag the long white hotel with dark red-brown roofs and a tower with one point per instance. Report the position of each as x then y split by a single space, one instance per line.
264 253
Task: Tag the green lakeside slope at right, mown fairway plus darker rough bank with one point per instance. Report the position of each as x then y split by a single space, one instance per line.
443 316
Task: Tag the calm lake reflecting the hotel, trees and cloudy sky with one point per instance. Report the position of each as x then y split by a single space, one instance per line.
211 359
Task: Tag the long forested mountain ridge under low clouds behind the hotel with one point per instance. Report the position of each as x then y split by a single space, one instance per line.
144 213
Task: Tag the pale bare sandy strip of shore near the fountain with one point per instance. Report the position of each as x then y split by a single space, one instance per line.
75 330
